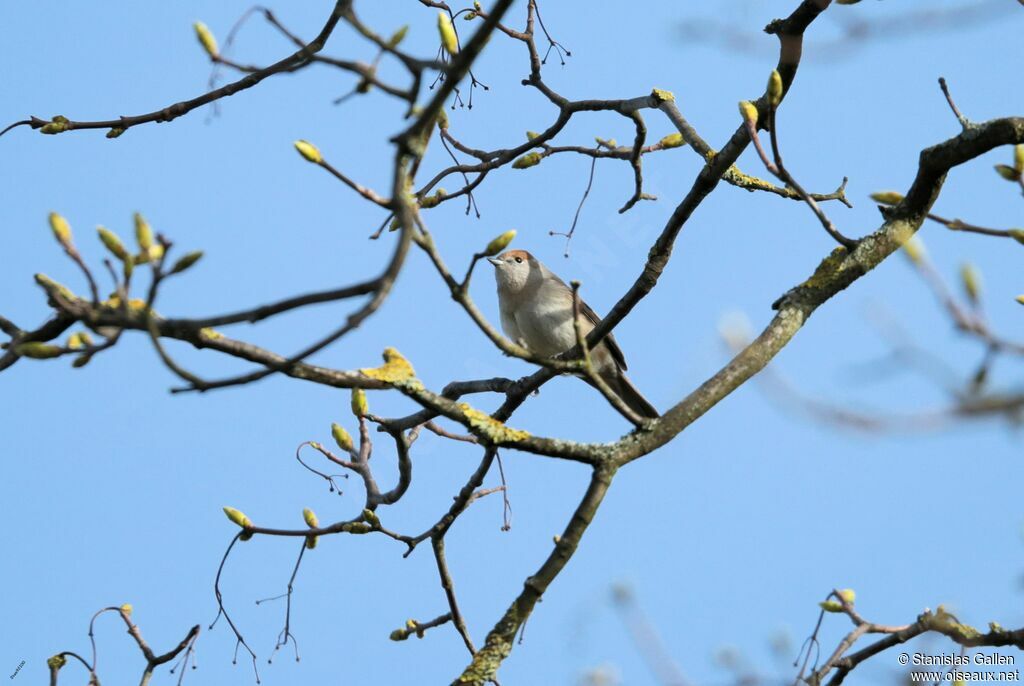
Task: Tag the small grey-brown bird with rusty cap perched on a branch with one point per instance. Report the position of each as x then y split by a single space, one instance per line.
537 313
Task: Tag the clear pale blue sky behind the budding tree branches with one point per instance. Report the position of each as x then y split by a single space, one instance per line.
735 532
